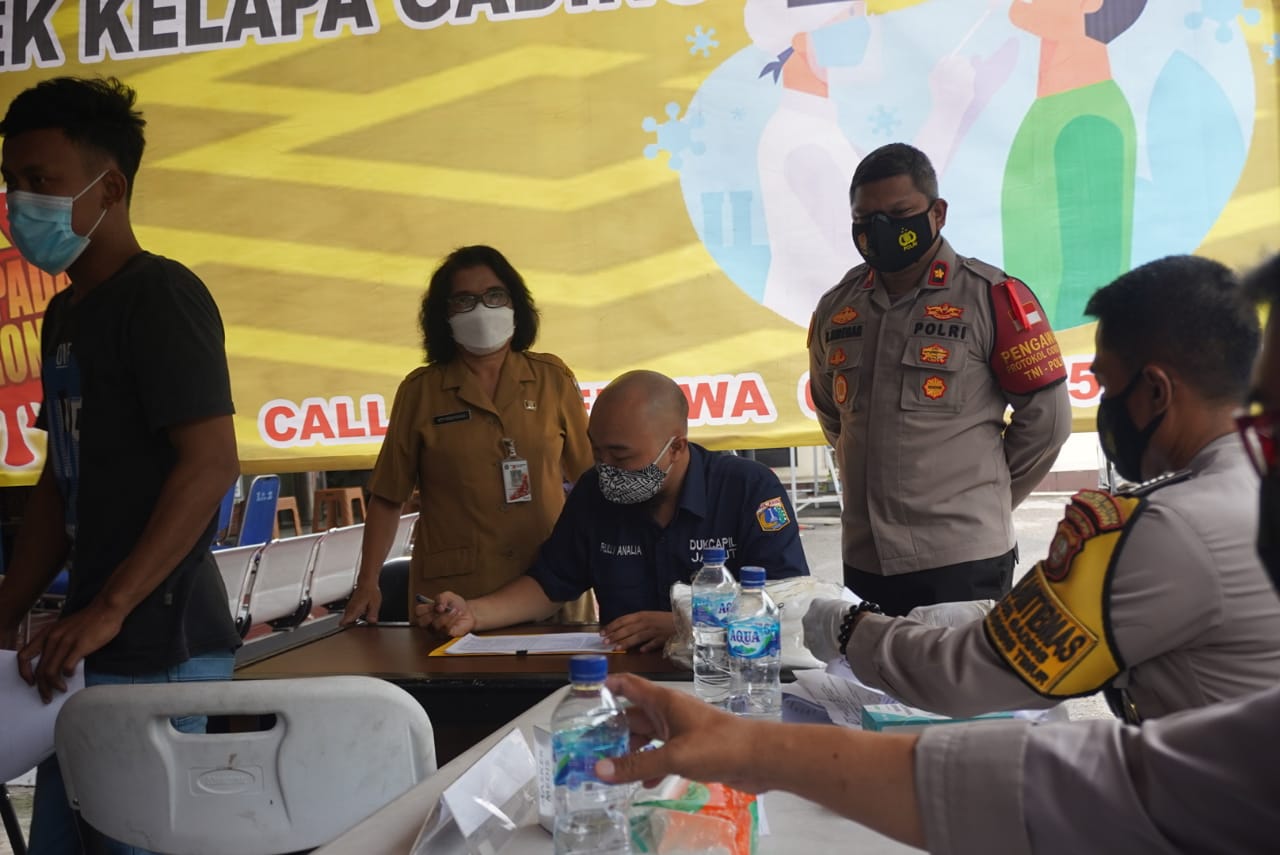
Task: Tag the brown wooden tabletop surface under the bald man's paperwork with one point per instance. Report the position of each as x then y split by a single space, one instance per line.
400 653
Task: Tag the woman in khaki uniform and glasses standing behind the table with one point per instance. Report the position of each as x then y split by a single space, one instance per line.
487 431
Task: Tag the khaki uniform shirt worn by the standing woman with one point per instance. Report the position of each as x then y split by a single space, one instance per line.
446 437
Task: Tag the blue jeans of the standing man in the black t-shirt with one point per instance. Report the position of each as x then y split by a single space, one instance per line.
53 822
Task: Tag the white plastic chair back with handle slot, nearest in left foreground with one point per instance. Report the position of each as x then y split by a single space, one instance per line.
340 751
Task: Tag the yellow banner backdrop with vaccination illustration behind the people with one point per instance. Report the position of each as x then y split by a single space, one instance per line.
670 176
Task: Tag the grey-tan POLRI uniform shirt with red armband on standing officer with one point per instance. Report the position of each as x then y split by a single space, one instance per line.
913 396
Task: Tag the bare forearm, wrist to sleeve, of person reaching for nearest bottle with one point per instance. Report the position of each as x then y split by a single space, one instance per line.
868 778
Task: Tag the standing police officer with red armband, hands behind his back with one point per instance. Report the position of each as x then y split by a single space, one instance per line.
913 360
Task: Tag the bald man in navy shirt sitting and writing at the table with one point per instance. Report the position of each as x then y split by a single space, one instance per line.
638 523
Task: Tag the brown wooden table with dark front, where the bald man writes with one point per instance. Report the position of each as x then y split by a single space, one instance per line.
468 698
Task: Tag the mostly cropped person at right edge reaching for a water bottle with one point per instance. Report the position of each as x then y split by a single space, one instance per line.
1203 781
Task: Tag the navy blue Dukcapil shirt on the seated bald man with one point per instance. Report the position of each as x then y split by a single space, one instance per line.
632 561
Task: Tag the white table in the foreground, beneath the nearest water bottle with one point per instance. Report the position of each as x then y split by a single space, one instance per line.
796 825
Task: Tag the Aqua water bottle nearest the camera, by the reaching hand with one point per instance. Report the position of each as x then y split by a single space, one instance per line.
588 726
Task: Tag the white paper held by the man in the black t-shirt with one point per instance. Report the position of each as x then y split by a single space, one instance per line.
28 723
